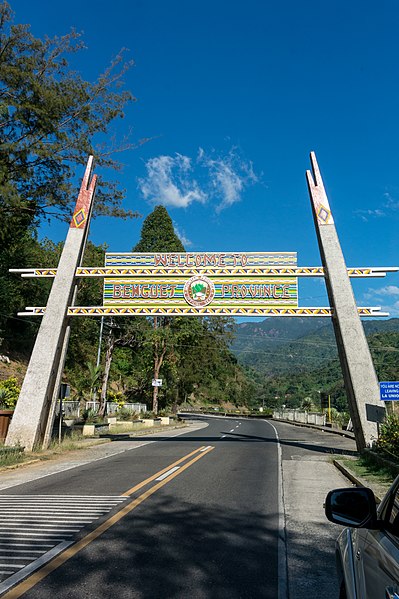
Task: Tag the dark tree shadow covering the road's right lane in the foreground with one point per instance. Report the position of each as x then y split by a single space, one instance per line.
174 549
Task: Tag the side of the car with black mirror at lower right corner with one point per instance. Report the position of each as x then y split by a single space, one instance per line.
367 552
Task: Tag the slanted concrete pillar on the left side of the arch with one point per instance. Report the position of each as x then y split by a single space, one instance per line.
28 425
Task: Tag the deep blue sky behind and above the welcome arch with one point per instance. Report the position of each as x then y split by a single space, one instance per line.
234 96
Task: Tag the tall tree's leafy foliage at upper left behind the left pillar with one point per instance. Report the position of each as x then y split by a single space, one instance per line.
51 119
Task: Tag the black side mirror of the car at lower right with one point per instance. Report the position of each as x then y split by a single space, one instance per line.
352 506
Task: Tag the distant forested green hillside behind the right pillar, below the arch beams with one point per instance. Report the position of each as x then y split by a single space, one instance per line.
314 373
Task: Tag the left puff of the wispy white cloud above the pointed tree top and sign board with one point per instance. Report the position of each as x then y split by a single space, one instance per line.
168 182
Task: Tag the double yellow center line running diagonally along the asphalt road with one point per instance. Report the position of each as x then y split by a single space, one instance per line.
71 551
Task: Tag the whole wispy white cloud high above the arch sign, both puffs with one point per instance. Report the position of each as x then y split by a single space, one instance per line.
173 180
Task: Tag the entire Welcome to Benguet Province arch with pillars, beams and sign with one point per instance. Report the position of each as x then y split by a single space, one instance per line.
192 284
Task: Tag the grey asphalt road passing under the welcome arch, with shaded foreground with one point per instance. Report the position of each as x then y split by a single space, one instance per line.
198 515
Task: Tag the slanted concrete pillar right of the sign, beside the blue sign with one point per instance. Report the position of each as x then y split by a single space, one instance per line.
360 379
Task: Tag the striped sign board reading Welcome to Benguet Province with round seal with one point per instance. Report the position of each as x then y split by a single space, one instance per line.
206 283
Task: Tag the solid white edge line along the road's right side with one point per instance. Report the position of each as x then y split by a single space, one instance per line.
282 557
